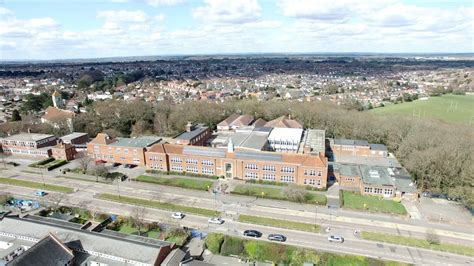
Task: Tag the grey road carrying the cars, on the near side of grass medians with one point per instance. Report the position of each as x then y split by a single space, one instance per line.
355 246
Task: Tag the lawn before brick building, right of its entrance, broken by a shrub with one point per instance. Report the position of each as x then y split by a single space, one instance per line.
276 193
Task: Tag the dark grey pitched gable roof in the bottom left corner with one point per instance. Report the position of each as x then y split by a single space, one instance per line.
48 251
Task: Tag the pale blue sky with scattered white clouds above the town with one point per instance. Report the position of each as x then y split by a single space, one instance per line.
67 29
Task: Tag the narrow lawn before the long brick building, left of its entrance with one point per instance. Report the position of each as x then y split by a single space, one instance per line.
177 182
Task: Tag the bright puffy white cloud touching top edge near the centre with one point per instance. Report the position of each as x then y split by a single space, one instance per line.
229 12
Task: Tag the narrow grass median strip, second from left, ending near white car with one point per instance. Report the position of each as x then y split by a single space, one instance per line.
158 205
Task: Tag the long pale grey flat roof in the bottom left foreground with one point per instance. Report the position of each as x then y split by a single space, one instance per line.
118 245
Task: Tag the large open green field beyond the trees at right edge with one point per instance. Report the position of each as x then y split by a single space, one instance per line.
449 108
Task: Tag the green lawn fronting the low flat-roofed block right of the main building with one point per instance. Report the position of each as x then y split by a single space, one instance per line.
353 200
